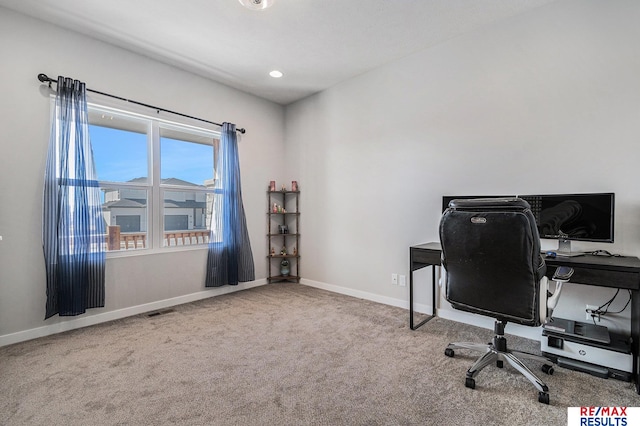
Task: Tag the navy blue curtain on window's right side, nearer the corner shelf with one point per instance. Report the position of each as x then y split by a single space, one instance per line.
229 260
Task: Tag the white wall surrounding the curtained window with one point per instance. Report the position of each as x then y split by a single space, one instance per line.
29 47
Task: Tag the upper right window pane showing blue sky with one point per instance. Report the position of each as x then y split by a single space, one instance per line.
185 158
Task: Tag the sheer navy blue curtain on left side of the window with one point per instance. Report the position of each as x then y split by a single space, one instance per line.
73 229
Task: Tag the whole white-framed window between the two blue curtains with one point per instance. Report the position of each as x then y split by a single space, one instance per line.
156 178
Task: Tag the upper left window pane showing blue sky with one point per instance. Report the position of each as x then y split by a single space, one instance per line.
119 147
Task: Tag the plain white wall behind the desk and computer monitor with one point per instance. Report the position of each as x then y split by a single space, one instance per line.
548 102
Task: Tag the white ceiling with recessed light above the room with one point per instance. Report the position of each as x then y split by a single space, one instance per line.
315 43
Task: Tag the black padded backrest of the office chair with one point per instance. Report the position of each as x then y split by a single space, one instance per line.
491 253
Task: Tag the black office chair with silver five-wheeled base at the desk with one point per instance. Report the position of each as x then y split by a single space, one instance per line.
492 266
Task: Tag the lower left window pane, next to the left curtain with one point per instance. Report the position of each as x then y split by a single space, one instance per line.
125 215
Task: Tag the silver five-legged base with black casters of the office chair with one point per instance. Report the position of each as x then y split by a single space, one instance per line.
496 352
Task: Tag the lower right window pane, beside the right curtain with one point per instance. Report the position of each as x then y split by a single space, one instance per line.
187 216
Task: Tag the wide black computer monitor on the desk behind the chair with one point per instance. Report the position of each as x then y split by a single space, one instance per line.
568 217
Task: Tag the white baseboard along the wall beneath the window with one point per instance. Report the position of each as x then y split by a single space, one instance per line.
83 321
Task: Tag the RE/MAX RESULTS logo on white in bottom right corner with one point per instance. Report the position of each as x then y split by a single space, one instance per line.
603 416
